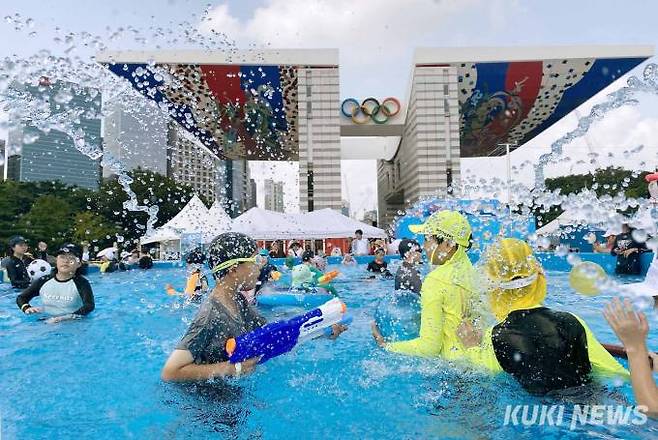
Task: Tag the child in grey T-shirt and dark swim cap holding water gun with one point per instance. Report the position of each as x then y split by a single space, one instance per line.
201 353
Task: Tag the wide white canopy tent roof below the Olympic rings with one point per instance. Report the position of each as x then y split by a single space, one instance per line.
261 224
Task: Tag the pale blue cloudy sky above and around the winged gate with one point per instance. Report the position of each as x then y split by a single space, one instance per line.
376 39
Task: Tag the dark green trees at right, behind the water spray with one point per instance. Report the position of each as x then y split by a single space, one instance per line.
607 181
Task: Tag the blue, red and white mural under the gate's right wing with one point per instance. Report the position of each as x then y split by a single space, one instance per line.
515 101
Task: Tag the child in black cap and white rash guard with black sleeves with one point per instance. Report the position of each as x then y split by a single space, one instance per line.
65 294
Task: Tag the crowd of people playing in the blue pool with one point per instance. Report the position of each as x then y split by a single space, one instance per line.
542 348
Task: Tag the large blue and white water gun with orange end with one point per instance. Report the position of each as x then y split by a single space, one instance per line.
280 337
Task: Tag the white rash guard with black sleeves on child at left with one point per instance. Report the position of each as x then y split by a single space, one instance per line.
73 296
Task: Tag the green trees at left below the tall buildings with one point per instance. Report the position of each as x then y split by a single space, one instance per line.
56 213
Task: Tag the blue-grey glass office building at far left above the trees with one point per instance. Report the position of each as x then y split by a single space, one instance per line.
36 155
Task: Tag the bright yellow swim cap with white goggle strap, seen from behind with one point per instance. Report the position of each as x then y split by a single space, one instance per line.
515 279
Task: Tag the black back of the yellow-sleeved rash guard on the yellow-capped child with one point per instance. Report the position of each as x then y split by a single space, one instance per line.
544 350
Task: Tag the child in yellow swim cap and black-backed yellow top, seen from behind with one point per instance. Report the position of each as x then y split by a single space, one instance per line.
543 349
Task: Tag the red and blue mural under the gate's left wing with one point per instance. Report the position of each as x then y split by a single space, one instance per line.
236 111
